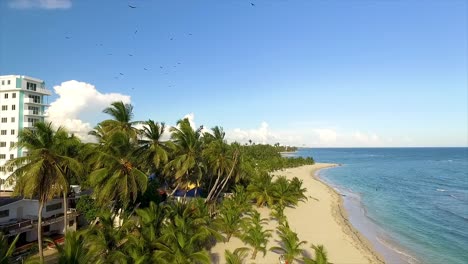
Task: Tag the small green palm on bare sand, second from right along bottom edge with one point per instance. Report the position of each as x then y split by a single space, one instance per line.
290 244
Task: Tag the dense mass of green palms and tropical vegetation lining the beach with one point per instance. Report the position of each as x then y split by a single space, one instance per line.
132 166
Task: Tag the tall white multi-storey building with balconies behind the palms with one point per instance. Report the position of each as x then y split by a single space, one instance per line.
23 101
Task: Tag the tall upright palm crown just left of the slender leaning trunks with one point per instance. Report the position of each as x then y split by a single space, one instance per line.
187 165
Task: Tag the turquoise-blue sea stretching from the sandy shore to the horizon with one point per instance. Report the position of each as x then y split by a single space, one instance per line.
414 200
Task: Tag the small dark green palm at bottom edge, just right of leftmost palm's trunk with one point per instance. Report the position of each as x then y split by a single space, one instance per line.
74 251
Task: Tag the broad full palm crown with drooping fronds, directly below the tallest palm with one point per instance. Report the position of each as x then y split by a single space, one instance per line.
116 176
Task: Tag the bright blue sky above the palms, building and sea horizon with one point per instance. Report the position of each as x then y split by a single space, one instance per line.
314 73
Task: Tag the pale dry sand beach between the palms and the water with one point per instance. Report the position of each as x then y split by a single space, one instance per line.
319 220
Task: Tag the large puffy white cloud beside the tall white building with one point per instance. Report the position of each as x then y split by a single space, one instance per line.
79 107
